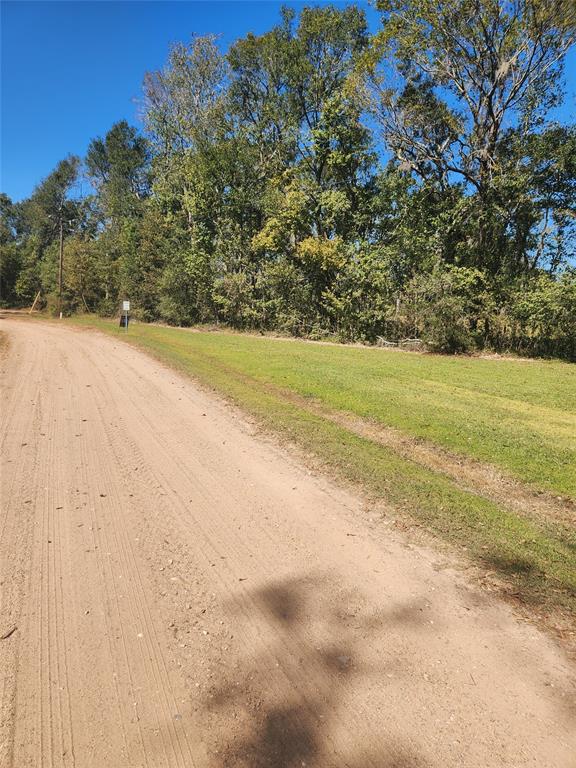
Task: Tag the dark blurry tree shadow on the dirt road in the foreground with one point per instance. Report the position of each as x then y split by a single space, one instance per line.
293 701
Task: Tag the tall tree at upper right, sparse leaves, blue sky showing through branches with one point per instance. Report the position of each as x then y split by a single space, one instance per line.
474 82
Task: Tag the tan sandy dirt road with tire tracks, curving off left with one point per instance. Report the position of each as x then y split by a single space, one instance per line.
185 594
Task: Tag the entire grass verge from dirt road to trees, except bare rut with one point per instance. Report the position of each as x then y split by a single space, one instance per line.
519 416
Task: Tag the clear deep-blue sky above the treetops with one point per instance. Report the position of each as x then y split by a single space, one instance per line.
72 69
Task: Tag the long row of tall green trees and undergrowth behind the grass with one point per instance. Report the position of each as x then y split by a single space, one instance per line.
324 181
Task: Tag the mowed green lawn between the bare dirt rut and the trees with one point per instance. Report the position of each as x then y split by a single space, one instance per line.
517 415
